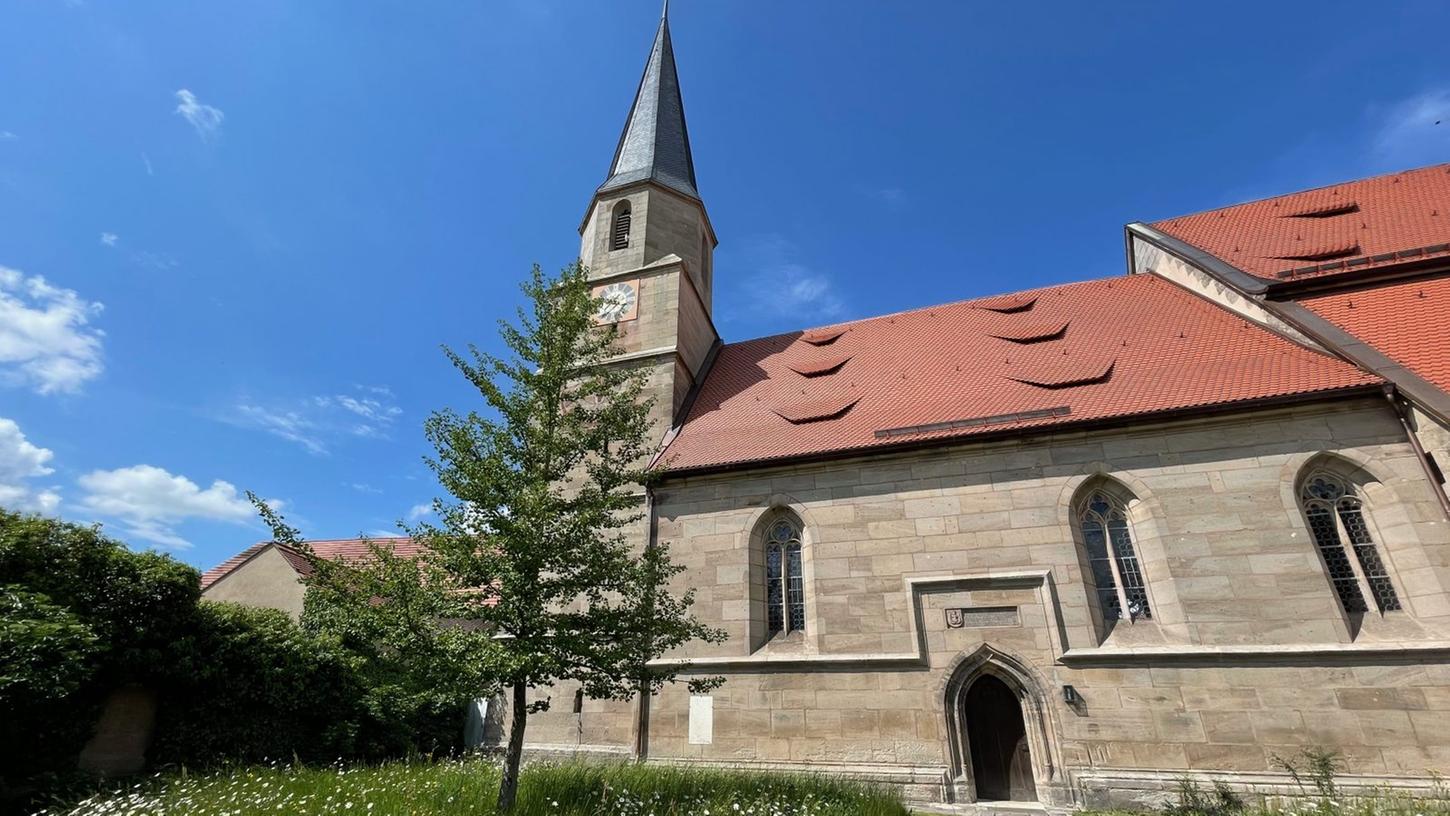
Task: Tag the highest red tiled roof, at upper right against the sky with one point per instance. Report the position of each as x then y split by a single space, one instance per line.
1358 225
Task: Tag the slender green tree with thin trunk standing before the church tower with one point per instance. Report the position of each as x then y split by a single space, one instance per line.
533 544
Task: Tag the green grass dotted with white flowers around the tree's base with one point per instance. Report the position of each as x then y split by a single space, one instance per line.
471 786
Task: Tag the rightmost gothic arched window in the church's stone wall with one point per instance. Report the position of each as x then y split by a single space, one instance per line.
1336 517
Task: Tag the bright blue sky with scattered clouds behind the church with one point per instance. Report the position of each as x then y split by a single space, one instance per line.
234 236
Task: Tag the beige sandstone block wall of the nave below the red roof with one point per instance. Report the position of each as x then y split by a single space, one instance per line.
1249 653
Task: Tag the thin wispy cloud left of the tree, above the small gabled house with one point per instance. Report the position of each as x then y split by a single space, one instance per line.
317 422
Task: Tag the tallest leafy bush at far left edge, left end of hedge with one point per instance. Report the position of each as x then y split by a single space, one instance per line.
82 615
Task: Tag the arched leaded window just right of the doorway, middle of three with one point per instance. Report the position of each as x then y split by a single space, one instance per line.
1111 559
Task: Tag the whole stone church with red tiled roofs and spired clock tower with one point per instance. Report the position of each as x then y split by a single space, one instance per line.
1064 546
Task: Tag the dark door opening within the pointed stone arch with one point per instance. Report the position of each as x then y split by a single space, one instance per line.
997 743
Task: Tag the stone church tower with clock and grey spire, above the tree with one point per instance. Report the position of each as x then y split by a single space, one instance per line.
649 244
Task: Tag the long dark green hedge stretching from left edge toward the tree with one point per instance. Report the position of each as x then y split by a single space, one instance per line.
82 615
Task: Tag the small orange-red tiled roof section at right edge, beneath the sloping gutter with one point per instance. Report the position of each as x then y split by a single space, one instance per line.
1410 322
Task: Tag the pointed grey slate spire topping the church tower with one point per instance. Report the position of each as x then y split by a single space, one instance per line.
655 143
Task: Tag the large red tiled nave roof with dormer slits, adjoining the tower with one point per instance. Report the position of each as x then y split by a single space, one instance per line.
1133 346
